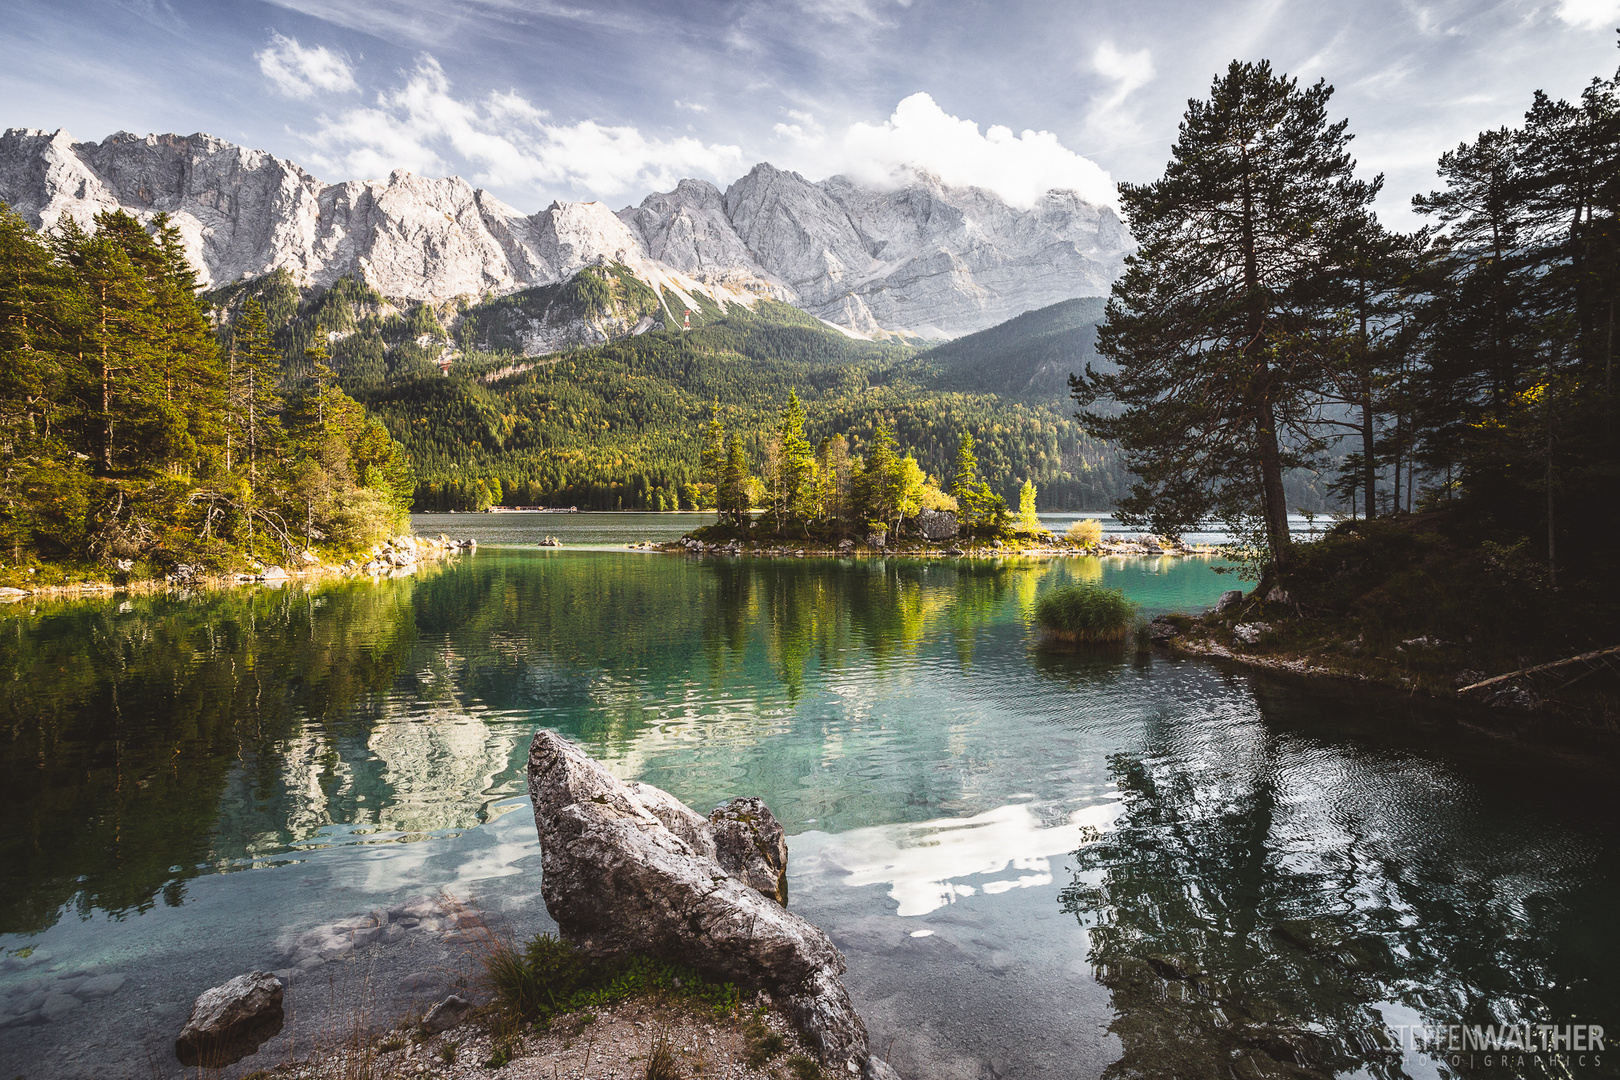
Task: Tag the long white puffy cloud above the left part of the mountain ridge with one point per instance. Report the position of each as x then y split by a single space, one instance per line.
509 143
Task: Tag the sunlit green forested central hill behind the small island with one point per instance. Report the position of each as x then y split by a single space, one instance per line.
618 427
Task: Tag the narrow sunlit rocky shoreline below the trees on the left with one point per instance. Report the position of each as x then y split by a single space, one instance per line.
391 559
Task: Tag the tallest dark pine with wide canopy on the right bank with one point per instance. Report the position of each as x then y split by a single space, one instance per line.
1217 323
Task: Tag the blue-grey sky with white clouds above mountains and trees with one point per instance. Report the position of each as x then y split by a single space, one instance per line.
613 100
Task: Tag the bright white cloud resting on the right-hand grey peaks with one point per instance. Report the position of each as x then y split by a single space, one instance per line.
923 137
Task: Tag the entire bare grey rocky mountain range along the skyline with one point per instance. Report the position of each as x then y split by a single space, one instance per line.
926 258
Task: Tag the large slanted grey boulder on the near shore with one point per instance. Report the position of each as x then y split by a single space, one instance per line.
629 869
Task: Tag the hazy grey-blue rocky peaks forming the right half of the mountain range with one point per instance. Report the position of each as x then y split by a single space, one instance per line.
927 258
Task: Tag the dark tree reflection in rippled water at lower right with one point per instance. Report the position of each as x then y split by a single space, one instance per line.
1271 901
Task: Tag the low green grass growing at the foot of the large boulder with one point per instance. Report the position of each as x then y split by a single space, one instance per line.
552 979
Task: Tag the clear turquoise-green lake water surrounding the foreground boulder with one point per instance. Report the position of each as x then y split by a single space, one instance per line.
1038 865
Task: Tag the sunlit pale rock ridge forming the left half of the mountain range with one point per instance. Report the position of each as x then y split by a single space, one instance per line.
245 213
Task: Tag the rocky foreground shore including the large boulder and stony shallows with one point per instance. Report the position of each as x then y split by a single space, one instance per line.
628 872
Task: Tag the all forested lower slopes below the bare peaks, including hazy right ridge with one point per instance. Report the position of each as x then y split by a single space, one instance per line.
615 423
